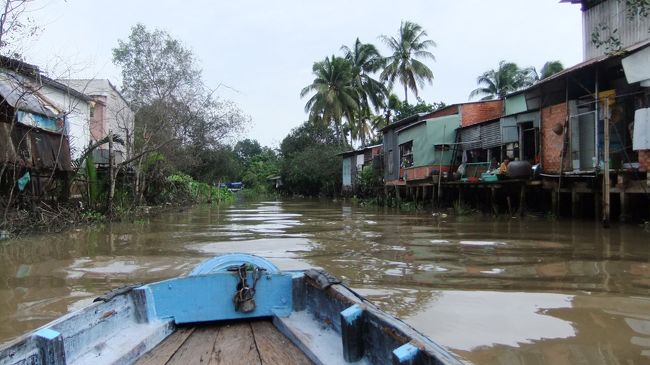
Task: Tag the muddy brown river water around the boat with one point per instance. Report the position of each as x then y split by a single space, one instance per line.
504 291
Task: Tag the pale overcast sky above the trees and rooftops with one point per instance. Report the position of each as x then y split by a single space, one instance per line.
264 50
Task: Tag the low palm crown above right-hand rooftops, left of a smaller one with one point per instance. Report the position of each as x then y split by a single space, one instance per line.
506 79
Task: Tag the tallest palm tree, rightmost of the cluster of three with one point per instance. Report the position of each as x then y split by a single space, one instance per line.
403 64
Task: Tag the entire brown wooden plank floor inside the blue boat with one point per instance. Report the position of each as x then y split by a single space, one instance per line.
250 342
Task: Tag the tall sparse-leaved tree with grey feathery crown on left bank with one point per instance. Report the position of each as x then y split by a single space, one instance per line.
175 113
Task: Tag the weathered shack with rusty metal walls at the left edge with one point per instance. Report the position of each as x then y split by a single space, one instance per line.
41 121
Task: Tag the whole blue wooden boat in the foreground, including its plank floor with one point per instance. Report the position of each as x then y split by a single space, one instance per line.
232 309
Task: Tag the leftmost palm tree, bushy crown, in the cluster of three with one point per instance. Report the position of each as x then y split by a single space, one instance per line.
335 96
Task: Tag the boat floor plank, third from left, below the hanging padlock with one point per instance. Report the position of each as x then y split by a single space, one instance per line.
235 344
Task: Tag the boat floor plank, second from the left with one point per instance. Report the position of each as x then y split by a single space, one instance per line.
197 349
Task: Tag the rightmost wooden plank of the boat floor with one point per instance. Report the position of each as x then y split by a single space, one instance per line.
274 347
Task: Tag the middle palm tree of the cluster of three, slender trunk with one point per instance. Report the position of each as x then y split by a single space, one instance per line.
365 60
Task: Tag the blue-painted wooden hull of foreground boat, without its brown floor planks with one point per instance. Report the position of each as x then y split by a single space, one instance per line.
327 321
